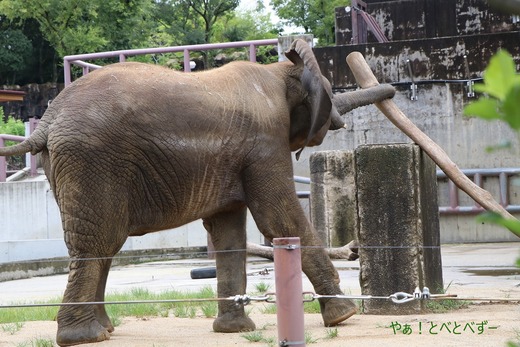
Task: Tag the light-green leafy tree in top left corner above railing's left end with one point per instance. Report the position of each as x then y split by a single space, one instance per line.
79 26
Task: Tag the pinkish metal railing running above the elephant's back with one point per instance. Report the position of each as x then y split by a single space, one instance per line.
77 60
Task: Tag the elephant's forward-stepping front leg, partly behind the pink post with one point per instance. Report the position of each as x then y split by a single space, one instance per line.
272 199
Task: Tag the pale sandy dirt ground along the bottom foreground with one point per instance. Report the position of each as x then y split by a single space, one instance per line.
476 325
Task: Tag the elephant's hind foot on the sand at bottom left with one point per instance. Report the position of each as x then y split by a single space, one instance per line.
81 333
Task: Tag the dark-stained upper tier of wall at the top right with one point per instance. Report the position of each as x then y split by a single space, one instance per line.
420 19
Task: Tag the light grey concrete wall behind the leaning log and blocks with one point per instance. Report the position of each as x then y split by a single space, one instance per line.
437 112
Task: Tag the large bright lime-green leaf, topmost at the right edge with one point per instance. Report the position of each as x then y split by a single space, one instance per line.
499 76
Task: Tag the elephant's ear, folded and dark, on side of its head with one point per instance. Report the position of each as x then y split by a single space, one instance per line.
319 99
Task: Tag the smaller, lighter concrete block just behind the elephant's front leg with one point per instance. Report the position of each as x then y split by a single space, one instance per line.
333 197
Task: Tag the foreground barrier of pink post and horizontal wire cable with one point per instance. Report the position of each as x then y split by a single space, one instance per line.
289 297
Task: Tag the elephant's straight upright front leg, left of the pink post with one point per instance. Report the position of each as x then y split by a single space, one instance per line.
228 234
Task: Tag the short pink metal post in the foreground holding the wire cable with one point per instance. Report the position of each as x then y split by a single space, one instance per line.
289 293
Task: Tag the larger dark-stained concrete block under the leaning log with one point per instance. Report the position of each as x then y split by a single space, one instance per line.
398 226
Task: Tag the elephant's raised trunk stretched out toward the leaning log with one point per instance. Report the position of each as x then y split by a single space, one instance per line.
348 101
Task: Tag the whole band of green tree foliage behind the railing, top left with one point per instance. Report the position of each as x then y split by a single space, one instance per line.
63 27
